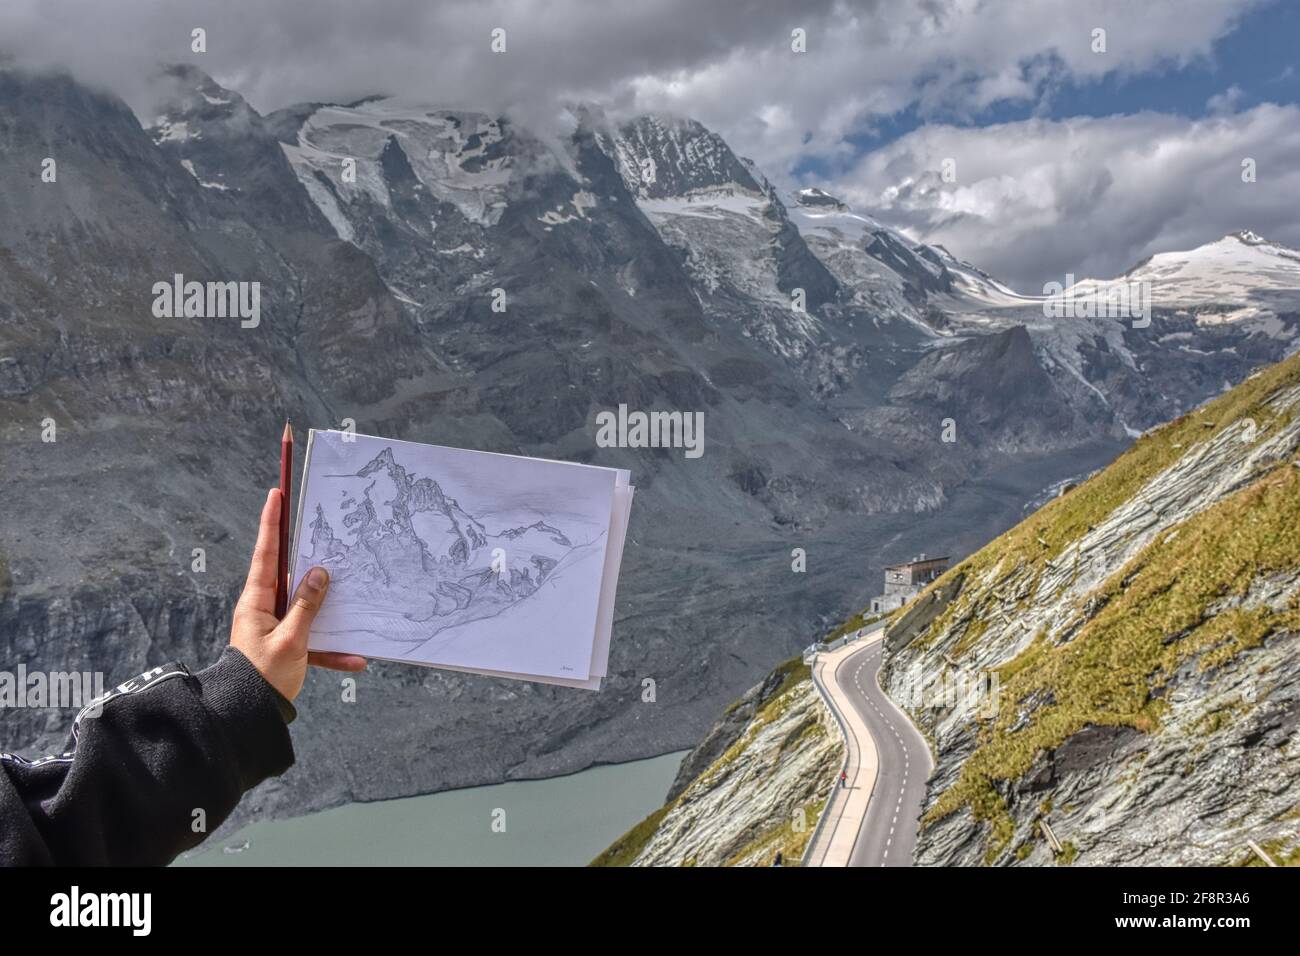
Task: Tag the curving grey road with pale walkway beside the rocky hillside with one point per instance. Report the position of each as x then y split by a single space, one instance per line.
873 821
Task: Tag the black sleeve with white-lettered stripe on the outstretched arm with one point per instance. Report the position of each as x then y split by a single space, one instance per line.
151 769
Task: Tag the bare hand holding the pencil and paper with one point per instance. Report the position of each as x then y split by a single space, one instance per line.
279 648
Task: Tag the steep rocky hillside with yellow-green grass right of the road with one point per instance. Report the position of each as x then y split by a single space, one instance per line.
1125 665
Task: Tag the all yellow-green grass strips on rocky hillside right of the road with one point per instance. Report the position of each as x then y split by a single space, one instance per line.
1110 672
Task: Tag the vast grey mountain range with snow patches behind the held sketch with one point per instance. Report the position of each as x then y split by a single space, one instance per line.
640 263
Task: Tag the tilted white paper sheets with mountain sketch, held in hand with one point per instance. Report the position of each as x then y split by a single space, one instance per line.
462 560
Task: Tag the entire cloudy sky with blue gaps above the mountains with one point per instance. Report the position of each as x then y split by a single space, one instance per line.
1068 159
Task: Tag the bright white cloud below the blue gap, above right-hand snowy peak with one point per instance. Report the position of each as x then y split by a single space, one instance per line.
1091 197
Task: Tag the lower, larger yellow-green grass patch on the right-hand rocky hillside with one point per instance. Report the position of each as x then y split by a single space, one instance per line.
1112 671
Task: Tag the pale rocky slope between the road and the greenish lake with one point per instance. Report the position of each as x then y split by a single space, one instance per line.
755 786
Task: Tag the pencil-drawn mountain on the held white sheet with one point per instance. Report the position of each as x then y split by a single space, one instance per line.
413 563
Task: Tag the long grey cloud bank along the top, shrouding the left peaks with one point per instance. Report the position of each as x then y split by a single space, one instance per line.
727 63
